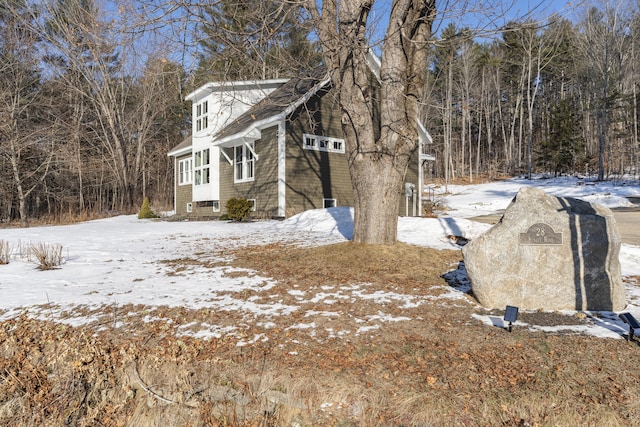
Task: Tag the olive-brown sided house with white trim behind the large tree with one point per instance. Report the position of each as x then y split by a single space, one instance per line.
278 143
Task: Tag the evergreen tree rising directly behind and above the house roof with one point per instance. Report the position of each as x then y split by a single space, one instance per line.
254 39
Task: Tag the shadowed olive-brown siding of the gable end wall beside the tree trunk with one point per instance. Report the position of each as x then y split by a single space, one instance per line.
312 175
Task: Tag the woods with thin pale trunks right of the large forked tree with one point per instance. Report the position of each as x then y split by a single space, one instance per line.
554 97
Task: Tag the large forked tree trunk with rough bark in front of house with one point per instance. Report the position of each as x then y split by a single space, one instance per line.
380 126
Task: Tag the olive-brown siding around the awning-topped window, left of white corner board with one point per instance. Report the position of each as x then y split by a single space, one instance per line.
264 188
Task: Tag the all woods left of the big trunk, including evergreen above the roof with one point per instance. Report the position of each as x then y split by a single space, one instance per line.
92 93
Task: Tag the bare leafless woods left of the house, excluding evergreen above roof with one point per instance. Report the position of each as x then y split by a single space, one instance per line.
84 126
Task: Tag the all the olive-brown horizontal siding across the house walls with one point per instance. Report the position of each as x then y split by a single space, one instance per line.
310 176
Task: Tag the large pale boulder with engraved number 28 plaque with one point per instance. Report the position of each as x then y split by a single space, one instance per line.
549 253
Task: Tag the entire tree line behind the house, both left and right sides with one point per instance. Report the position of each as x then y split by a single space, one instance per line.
92 94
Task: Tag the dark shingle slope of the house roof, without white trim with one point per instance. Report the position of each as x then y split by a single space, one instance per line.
275 103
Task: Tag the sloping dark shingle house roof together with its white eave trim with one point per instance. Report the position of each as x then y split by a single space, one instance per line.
274 107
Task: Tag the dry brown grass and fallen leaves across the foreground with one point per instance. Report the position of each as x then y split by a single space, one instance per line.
441 368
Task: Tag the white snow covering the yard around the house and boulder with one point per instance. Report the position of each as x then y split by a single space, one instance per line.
122 260
